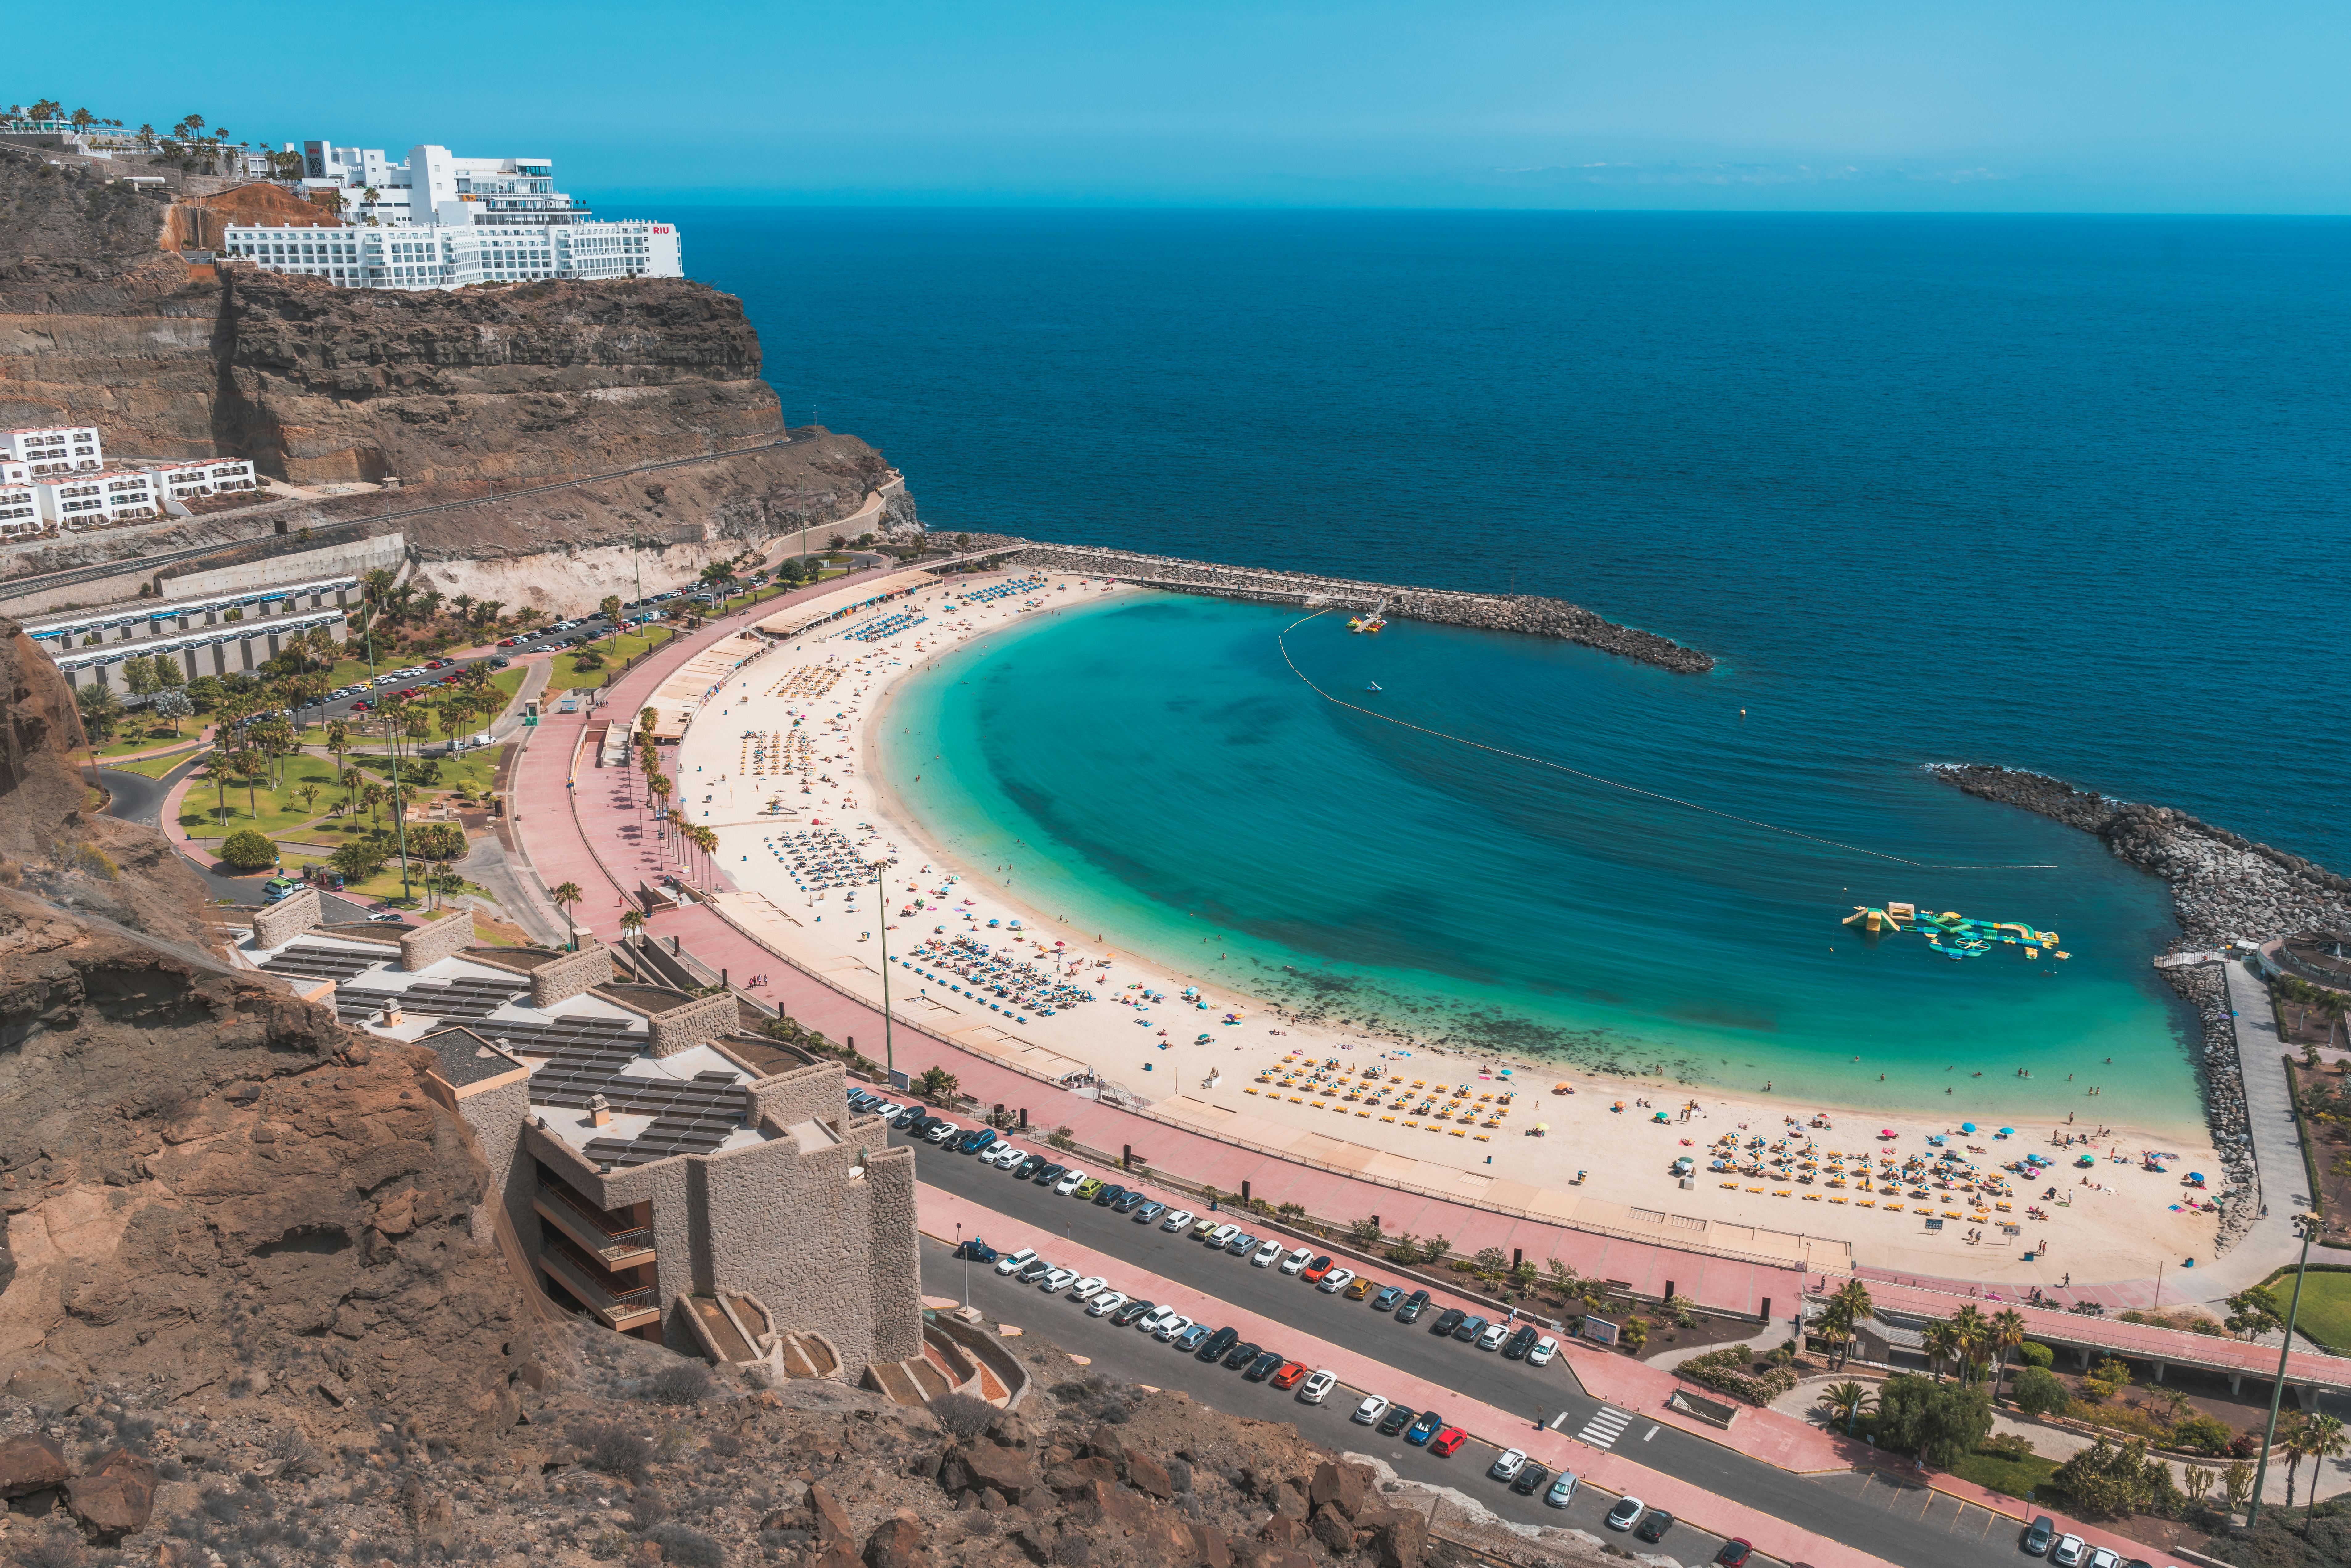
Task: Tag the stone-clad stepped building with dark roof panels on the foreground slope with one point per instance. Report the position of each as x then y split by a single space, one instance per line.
652 1165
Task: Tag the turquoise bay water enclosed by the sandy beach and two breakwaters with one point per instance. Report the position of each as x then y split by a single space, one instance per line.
1153 770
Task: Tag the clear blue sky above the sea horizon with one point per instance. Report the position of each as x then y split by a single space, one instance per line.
1717 105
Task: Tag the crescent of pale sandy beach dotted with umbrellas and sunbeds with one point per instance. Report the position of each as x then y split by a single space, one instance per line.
784 768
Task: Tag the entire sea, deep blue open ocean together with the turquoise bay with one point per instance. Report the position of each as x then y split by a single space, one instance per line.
2051 492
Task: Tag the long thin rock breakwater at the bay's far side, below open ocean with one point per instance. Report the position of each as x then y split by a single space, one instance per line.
1492 612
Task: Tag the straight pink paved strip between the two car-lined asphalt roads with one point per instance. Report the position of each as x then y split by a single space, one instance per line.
939 1214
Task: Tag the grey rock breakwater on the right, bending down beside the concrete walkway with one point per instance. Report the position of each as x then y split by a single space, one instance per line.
2225 890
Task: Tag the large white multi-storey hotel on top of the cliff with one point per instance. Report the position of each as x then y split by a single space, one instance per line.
443 222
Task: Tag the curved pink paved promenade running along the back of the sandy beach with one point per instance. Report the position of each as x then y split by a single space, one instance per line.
612 847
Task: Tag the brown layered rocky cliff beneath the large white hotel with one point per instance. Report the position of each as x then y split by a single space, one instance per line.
455 394
